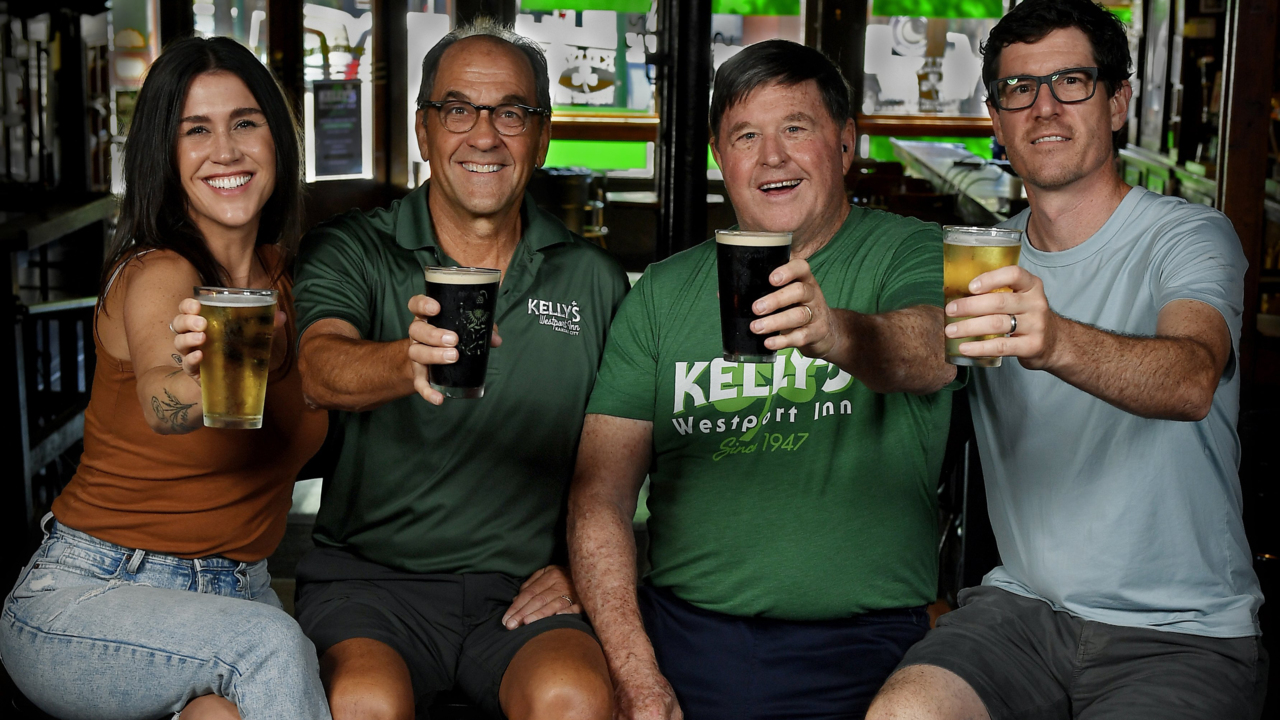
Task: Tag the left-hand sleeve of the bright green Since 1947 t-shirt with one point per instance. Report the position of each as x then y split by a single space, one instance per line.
628 382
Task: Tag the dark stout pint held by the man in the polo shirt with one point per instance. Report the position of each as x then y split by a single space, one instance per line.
468 298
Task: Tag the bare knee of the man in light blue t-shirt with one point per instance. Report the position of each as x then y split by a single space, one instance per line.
927 692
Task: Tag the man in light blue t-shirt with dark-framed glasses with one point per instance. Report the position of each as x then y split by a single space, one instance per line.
1108 439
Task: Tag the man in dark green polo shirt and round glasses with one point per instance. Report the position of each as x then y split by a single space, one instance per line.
437 532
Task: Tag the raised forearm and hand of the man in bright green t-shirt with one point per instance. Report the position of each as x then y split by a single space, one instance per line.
897 352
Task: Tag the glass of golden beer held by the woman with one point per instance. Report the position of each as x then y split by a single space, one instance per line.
237 354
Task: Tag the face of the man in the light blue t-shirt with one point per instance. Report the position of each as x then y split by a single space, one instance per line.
1053 145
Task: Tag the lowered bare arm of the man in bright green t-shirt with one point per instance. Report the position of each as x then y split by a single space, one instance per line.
612 462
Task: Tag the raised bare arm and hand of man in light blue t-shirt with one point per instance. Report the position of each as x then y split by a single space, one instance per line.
1171 377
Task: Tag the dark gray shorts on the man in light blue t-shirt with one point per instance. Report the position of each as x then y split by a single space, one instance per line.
1028 662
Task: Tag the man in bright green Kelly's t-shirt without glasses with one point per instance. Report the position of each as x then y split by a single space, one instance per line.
793 523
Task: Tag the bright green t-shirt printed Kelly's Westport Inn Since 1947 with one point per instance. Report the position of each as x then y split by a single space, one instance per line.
784 490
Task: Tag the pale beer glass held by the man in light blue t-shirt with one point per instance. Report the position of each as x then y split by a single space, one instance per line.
968 253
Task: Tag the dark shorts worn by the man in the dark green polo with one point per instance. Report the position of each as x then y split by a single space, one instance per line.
447 628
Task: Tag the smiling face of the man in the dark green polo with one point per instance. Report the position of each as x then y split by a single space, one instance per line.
479 172
